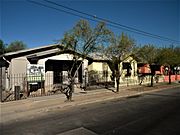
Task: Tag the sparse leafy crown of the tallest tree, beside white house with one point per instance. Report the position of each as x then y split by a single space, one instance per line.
84 39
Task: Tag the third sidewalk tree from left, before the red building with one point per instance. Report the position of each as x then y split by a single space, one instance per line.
148 54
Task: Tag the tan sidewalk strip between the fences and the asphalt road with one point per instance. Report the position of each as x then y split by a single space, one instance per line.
33 107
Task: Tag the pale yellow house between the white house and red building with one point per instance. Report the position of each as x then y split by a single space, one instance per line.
100 69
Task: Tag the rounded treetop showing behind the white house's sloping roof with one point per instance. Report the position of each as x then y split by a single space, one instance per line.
15 46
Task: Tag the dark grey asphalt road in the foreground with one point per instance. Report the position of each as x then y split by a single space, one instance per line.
155 113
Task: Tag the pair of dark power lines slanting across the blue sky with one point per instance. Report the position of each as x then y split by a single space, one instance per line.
96 19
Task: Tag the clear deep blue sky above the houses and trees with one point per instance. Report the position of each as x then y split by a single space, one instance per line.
37 26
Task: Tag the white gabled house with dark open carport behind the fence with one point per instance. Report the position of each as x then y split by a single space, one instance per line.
41 67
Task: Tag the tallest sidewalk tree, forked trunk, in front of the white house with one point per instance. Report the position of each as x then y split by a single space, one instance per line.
82 40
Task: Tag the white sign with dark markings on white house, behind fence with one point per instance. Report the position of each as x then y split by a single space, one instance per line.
35 72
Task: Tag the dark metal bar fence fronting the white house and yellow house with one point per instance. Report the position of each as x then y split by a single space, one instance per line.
21 86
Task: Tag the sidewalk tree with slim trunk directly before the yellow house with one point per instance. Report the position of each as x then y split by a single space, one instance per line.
120 48
